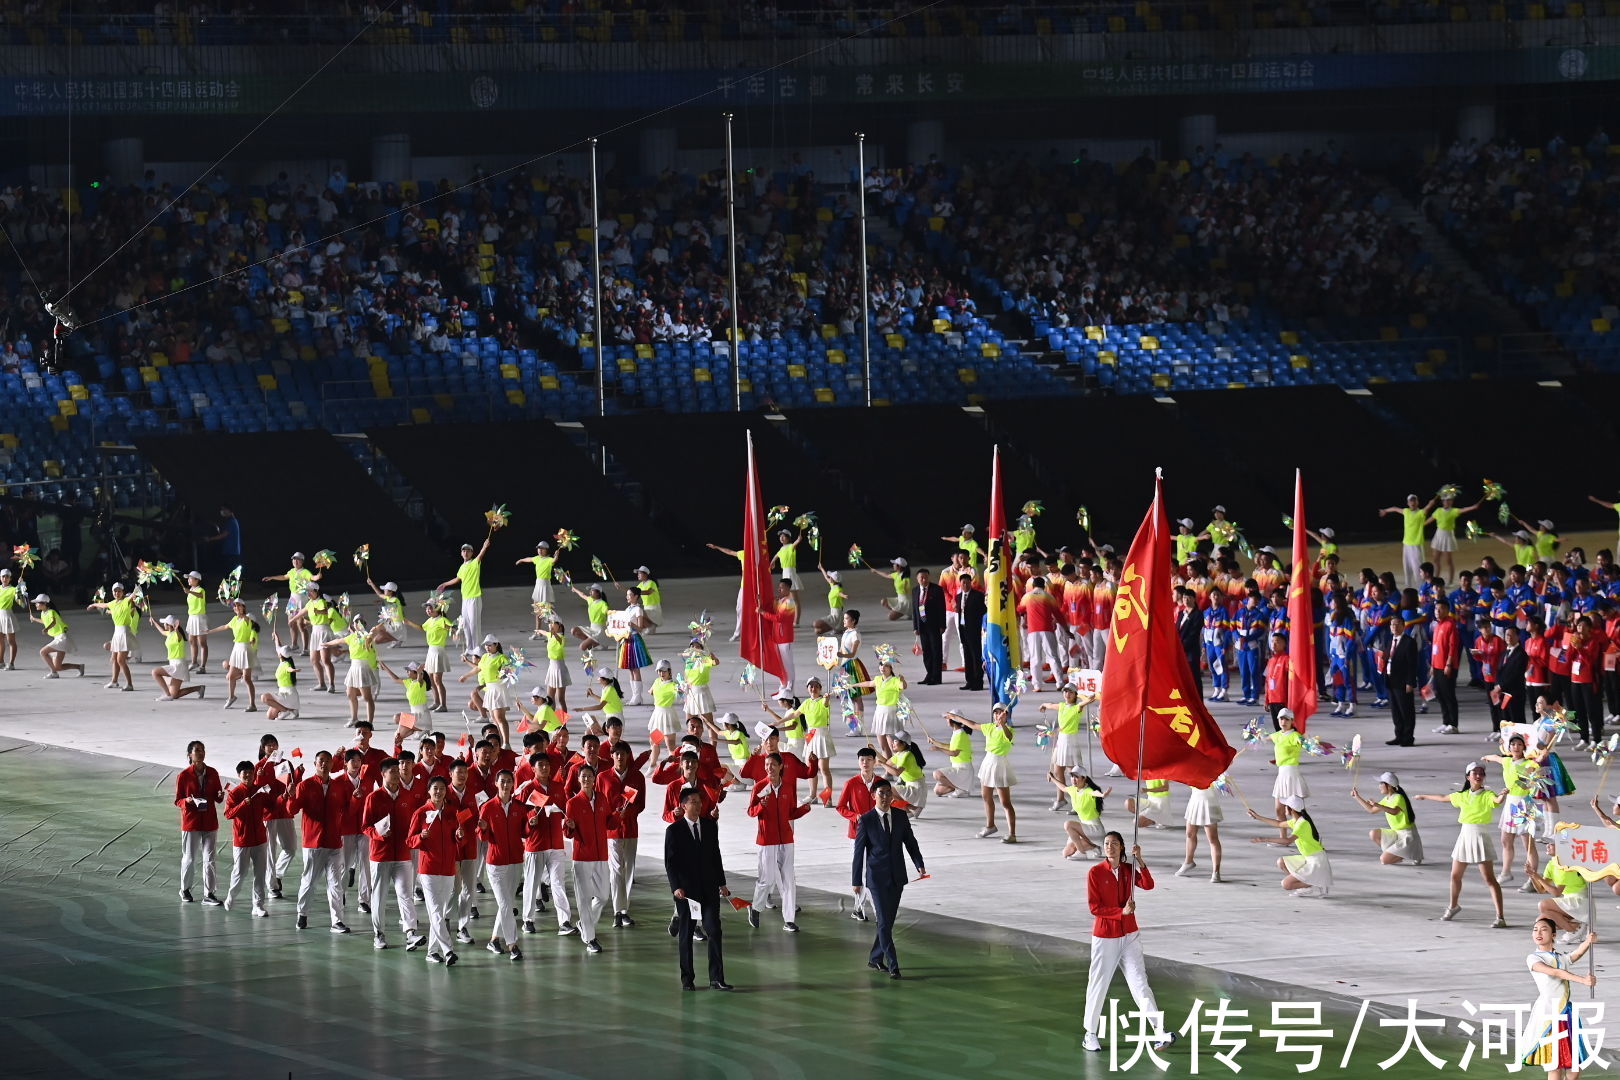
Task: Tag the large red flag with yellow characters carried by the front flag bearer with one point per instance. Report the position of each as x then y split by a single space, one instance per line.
1153 718
